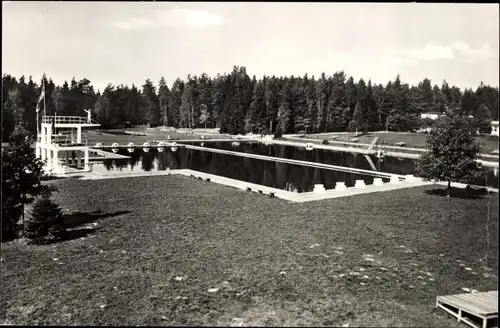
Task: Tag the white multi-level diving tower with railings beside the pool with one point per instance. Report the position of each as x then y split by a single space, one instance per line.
59 142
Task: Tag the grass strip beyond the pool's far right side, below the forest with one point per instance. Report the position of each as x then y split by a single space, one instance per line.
412 139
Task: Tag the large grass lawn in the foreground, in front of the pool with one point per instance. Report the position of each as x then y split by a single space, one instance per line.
170 250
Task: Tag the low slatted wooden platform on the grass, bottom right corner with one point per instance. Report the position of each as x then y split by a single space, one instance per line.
478 310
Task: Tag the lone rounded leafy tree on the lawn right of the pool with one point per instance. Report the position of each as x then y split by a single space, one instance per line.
452 152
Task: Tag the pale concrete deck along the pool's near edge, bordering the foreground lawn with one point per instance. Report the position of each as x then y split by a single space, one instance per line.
269 191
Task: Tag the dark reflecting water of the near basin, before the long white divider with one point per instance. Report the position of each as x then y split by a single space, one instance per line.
272 174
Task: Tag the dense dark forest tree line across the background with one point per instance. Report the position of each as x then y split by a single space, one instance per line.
237 103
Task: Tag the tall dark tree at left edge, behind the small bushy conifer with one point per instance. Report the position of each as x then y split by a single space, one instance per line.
21 181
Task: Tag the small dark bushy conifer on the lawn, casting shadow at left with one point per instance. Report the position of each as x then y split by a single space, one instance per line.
46 221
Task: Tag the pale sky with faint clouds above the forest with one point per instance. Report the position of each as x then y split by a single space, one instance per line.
129 42
